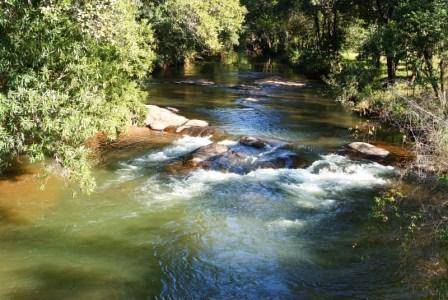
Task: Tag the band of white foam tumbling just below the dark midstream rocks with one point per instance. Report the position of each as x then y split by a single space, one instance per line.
312 187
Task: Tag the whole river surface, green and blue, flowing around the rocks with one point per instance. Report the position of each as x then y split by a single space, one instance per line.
267 233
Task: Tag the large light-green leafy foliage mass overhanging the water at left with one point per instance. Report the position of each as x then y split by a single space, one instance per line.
67 72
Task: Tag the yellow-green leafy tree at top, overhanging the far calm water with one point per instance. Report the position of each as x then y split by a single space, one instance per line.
188 28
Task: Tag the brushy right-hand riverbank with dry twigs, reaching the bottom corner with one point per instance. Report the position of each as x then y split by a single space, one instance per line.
419 221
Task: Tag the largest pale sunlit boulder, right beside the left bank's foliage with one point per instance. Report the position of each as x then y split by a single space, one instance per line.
159 118
